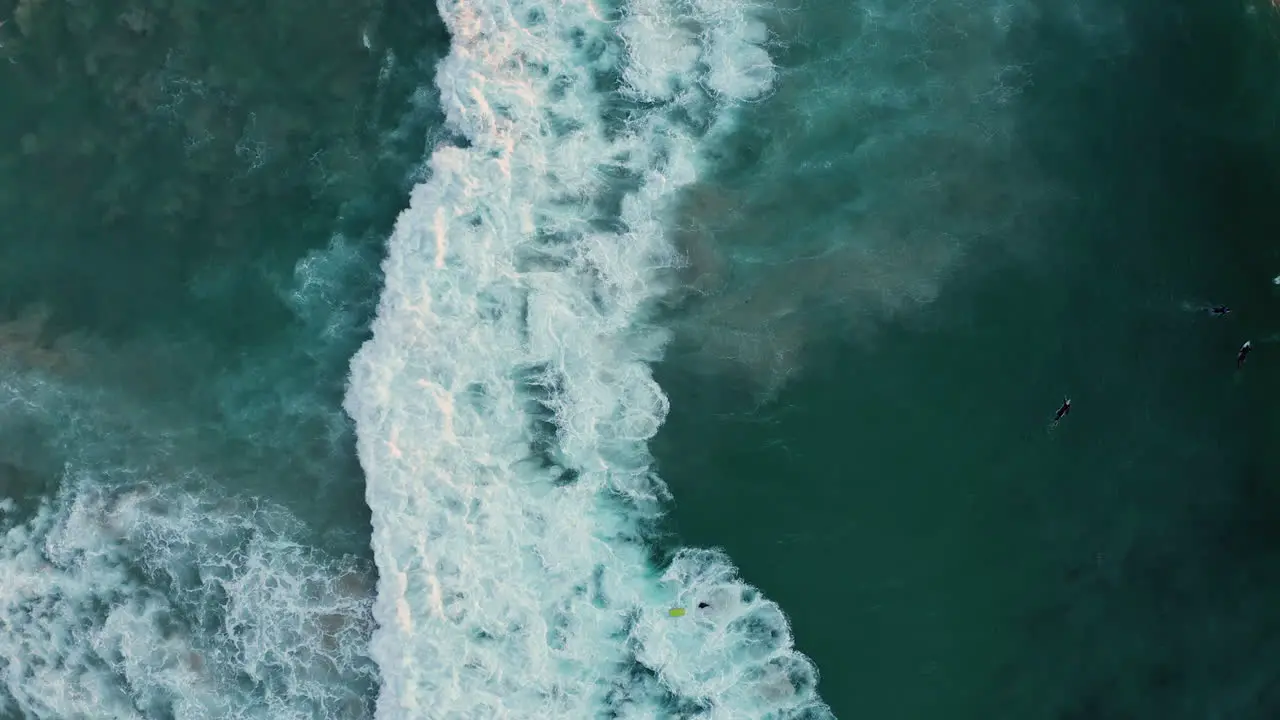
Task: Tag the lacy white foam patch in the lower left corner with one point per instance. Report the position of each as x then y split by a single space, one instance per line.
150 603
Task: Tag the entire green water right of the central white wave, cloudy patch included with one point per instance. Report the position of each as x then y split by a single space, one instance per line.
895 486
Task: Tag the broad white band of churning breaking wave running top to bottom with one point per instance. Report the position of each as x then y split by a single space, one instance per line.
505 403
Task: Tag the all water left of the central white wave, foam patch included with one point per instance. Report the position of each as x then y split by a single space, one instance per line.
191 221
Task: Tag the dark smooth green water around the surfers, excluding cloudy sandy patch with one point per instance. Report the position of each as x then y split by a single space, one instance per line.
940 554
